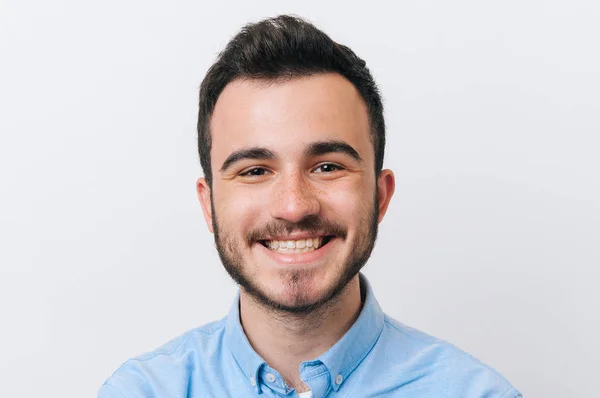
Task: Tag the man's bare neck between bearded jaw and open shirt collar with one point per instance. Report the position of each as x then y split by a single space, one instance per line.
284 341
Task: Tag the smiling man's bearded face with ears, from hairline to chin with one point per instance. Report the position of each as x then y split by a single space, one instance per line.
294 203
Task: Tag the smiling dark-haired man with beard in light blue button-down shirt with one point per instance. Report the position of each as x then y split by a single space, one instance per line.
291 139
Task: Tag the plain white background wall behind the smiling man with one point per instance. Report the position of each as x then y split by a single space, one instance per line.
491 241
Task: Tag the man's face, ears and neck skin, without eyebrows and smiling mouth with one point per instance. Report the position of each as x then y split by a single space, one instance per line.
294 306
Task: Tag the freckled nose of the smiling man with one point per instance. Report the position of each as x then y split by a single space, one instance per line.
293 198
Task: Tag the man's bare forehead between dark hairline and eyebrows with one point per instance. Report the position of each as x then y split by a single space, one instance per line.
287 115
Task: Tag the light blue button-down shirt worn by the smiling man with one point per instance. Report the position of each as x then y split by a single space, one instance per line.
377 357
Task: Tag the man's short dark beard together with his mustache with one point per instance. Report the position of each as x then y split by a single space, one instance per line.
230 253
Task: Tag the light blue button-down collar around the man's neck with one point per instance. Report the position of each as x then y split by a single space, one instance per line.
341 359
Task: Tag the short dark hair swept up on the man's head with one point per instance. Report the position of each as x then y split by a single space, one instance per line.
282 48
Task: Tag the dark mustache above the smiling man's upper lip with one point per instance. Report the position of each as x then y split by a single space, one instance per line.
311 224
